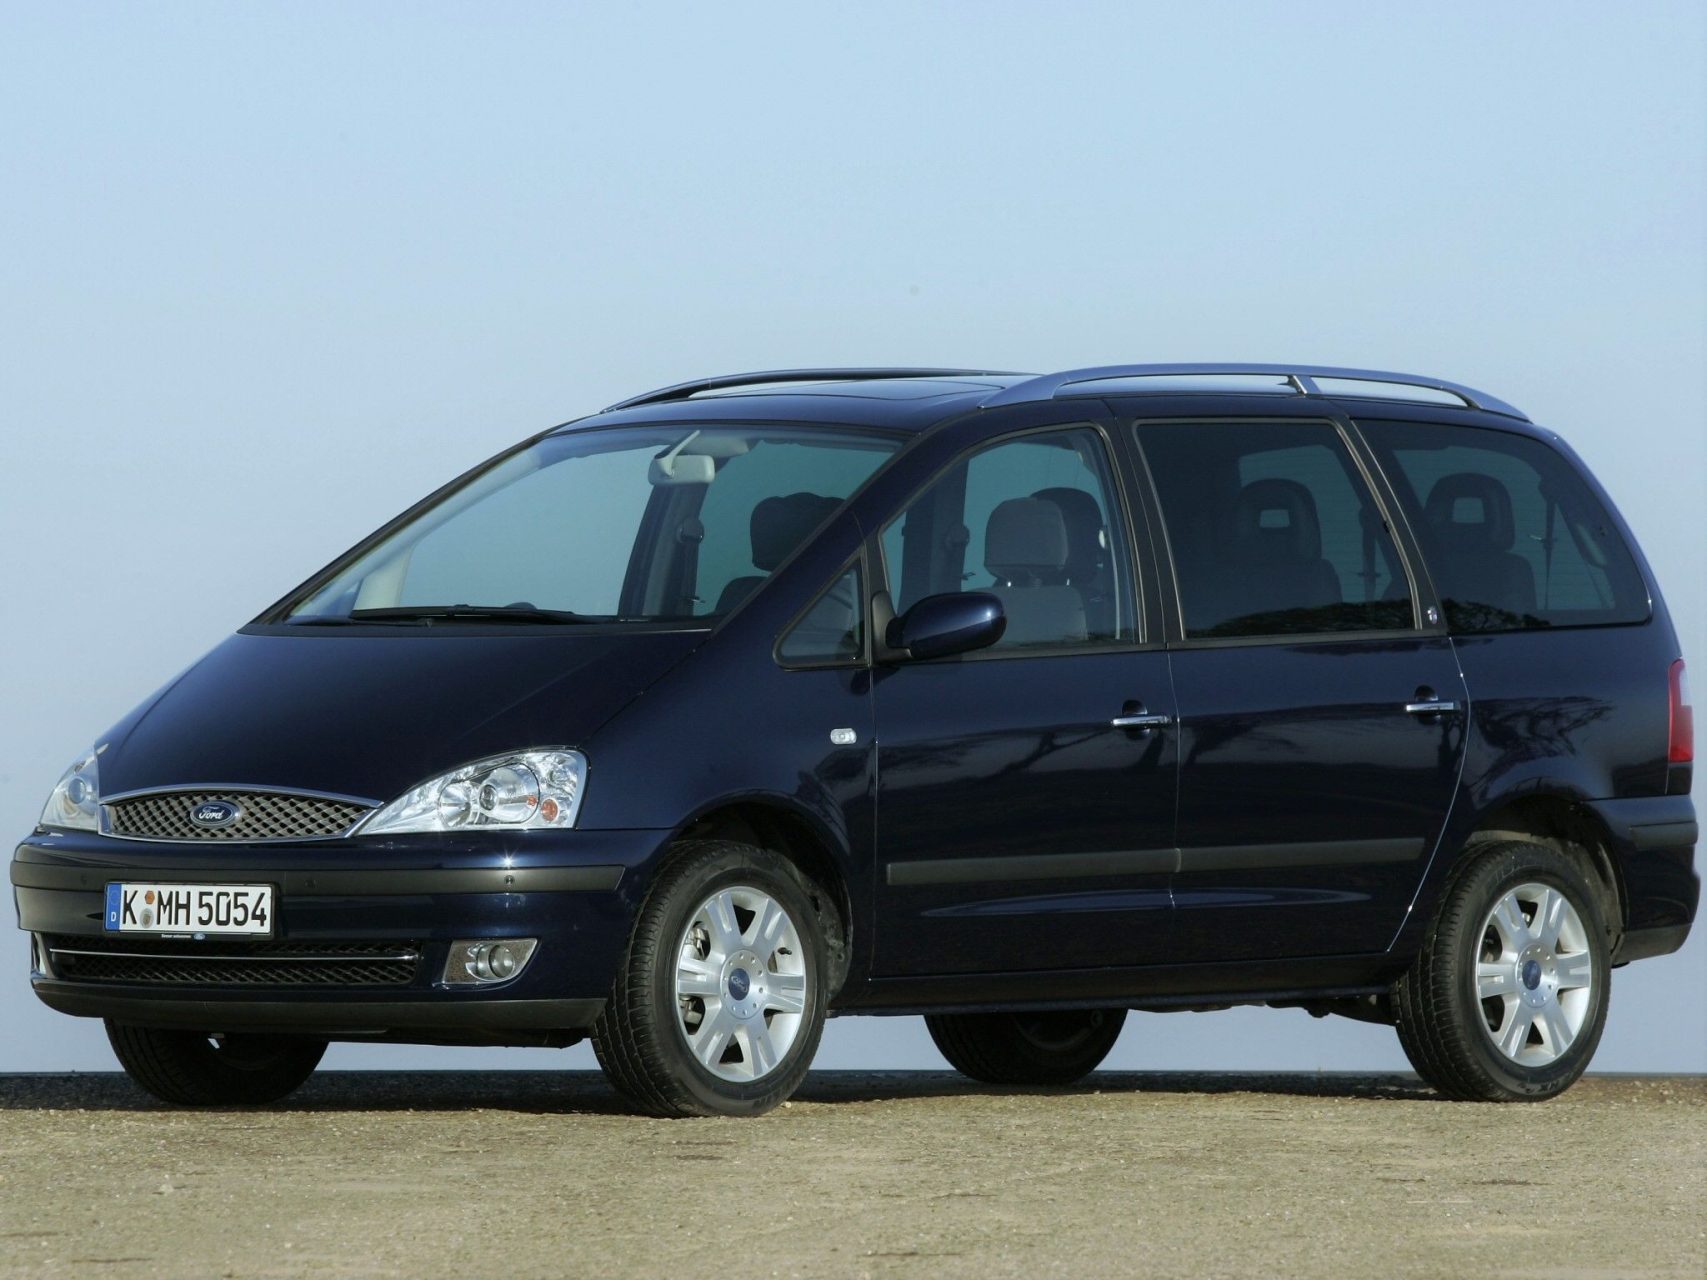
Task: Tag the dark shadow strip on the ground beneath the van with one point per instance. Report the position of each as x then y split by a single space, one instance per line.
586 1093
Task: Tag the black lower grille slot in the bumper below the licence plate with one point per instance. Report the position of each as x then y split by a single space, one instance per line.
170 963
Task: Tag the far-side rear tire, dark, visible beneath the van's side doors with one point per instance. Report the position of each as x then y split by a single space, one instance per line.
1056 1047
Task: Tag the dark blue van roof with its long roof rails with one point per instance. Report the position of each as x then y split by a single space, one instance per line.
919 399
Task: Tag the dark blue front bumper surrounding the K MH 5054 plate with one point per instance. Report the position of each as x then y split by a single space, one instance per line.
574 892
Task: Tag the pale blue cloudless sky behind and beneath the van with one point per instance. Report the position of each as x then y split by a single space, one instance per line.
272 272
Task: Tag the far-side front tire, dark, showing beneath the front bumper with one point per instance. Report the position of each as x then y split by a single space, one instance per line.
194 1069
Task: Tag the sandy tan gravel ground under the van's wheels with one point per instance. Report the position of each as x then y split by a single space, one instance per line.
906 1175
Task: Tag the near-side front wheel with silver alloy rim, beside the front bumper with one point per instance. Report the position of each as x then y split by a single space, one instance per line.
720 999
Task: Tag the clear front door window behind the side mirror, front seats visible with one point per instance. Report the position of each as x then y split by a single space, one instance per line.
1032 521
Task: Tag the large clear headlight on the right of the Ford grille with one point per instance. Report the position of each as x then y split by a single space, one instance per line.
518 793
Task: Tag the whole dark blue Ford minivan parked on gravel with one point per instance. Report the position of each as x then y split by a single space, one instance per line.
1018 702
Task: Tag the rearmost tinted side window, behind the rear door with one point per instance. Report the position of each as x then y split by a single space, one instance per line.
1513 535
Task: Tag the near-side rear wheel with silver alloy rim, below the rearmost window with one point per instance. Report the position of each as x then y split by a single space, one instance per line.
1508 998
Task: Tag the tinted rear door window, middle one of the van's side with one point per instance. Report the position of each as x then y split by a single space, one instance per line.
1273 532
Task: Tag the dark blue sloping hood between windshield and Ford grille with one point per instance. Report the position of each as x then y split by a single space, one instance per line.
370 716
